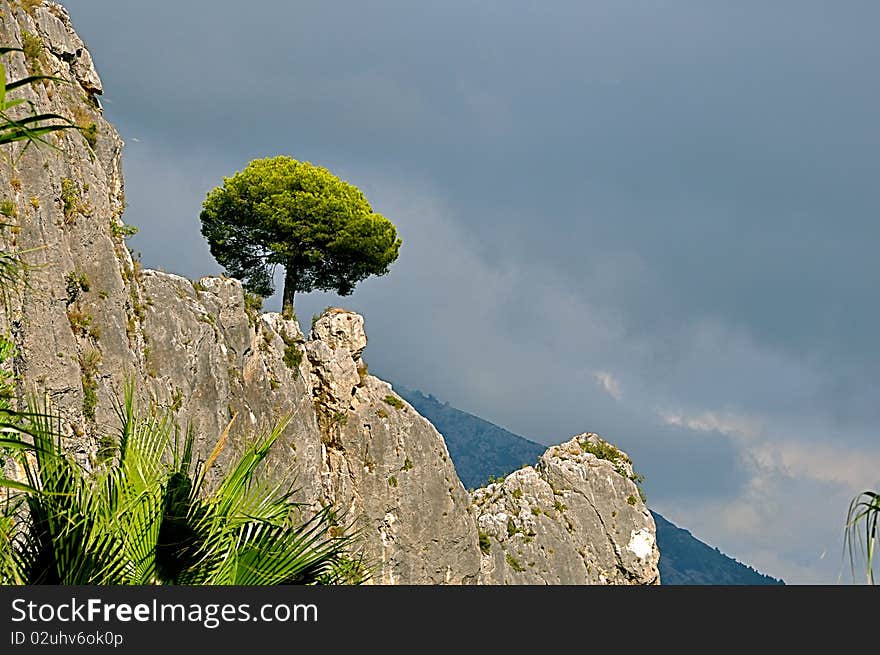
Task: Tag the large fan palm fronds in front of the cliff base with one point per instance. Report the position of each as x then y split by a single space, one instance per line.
146 517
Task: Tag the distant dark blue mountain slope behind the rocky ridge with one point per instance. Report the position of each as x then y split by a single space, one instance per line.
480 449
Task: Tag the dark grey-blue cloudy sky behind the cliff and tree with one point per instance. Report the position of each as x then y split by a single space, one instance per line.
652 220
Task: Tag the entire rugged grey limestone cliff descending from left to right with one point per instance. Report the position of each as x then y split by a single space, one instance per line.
89 318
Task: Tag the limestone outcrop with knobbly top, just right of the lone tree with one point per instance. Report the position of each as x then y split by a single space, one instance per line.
387 465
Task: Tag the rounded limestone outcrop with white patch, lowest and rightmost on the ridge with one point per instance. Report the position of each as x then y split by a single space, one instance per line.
575 518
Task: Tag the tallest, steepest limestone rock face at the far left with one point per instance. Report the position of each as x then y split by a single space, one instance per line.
75 321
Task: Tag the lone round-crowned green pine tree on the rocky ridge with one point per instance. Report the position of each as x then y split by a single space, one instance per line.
279 211
